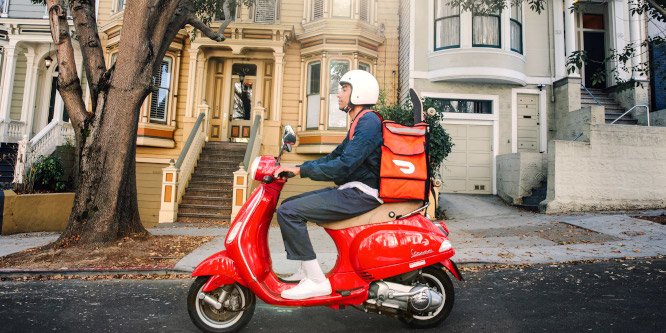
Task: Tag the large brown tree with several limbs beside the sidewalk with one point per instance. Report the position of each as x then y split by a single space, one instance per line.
105 205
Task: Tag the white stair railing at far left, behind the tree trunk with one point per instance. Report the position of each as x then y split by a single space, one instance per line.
55 134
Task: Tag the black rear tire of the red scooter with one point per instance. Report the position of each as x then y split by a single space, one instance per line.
434 276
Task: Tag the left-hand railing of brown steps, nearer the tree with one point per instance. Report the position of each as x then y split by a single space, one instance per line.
176 176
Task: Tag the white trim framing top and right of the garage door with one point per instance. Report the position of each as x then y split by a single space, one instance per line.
475 119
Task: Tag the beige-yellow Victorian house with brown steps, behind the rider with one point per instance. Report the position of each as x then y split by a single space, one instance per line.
279 65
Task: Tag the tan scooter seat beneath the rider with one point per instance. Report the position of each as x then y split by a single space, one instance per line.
385 213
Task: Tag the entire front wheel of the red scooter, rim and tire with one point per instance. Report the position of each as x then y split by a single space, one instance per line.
236 308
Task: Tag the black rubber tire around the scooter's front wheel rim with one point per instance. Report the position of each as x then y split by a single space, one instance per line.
199 310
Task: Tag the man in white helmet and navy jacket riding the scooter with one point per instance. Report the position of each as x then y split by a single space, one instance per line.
353 166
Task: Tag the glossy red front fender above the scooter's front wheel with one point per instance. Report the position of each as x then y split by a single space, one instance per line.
222 268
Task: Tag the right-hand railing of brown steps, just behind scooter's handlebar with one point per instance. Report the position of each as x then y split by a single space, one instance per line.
241 182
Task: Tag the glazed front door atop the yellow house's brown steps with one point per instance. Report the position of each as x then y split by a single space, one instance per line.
240 117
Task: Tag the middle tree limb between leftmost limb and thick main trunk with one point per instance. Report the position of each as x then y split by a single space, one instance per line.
85 23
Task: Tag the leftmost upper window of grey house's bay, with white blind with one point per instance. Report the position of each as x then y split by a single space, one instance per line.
447 25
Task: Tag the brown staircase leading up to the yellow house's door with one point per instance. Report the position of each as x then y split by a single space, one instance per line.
209 193
